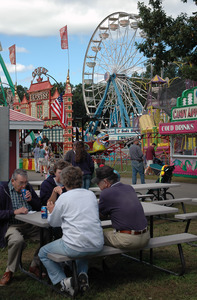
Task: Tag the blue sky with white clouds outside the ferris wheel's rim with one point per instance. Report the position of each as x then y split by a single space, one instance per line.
34 27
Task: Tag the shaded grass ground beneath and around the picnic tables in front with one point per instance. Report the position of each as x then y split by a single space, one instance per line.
125 279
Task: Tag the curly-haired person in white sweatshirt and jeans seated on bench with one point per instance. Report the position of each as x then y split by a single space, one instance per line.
76 211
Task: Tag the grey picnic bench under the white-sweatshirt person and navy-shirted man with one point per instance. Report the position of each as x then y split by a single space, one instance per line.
162 241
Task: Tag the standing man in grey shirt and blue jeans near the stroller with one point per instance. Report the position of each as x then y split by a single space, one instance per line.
137 162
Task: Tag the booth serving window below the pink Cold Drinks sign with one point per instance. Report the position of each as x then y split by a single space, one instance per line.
184 145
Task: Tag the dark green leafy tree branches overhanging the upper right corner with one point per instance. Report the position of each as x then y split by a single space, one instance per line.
168 40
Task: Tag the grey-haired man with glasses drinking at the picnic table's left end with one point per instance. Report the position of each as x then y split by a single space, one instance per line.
12 231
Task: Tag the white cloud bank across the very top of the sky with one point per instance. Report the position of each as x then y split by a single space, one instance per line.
46 17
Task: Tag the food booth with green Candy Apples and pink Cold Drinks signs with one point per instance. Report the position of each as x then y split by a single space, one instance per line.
183 134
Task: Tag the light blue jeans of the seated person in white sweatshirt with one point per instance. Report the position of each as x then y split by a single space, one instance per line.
56 270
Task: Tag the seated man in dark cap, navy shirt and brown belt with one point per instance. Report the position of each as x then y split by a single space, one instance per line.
120 202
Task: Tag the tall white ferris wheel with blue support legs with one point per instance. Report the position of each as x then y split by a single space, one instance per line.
112 66
